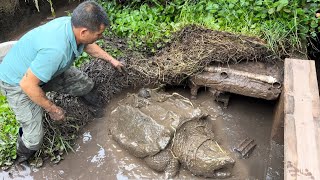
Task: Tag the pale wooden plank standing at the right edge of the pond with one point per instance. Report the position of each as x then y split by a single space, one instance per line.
301 121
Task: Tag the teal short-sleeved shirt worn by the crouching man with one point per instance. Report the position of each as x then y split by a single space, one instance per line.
47 50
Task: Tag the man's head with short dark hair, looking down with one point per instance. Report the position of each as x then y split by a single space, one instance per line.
89 20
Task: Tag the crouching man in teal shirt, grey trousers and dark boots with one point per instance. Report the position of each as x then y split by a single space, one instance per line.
42 61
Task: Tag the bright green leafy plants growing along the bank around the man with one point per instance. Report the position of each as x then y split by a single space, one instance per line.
148 25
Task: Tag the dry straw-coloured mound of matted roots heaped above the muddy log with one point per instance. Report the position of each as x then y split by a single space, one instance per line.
193 48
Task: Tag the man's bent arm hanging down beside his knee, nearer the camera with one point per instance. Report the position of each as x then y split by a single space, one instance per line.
30 85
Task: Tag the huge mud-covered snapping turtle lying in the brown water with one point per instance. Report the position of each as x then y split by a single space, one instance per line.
166 131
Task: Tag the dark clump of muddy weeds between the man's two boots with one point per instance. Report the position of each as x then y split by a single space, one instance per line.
60 136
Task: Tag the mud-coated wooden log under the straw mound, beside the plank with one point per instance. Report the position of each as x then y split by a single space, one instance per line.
247 80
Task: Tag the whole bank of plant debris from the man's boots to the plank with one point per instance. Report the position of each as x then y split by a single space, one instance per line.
192 49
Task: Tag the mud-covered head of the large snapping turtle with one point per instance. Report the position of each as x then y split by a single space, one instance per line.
196 149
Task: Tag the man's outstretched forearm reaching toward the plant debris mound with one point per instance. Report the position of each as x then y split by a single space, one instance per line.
96 51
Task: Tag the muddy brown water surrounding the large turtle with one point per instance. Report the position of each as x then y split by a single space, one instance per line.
99 157
